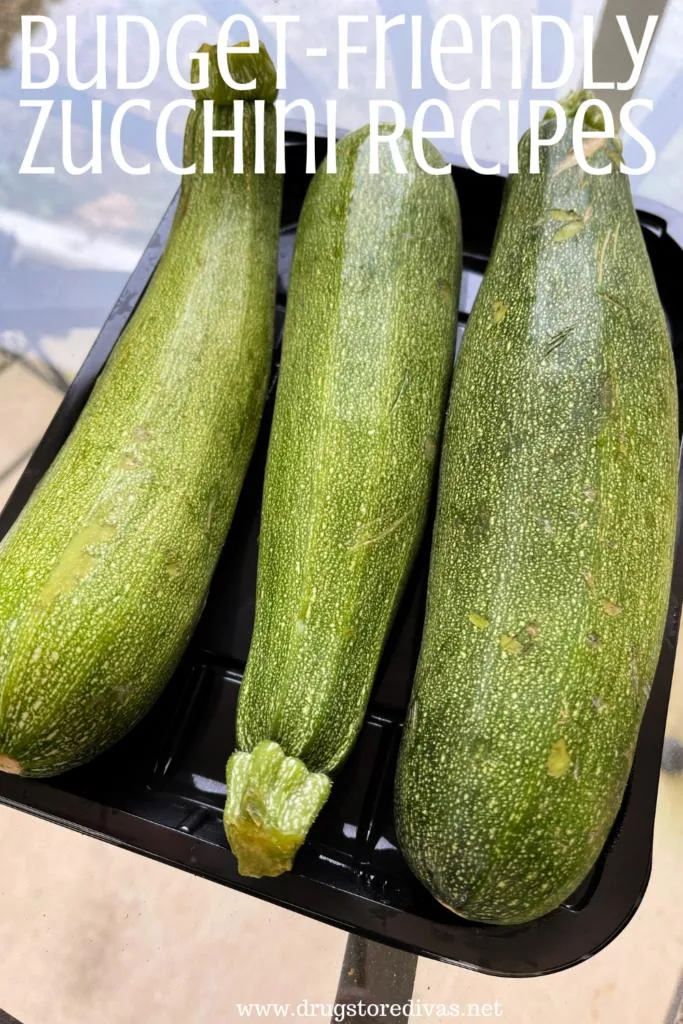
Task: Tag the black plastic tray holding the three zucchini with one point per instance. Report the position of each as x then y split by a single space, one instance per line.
161 791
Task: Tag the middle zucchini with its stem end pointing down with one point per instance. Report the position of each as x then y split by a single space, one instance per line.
367 360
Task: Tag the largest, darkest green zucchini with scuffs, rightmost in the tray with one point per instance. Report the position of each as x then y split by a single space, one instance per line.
552 550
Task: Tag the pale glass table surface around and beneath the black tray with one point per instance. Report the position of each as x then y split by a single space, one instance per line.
92 932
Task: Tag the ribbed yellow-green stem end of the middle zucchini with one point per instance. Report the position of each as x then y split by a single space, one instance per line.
272 803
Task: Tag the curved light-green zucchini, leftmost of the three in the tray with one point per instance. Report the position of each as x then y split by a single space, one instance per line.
104 576
